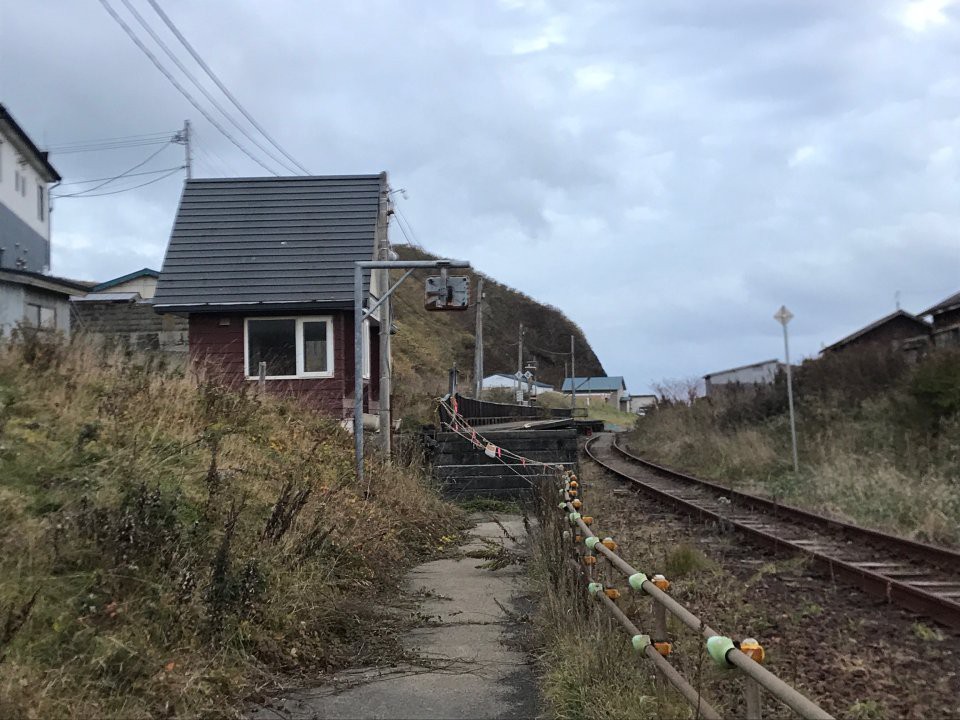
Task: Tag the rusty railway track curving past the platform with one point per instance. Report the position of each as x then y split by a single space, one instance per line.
916 576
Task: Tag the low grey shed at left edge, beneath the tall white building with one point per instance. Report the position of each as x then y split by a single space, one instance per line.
32 299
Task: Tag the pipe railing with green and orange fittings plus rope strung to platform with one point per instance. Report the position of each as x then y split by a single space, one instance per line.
745 656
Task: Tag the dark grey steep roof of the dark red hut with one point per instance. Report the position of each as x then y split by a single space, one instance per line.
247 242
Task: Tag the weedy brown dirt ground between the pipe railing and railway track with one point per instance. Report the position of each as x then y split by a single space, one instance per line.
855 655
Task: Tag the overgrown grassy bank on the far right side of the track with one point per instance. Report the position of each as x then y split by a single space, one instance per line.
879 441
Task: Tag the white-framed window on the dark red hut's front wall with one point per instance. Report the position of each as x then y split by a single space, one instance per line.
292 347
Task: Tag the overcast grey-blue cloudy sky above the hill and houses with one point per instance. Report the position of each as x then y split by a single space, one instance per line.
667 172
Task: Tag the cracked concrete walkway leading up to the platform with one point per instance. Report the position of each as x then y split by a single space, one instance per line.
473 667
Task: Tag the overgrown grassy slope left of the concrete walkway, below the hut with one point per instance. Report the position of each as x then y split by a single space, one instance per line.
171 546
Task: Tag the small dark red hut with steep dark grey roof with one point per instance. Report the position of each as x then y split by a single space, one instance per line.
263 268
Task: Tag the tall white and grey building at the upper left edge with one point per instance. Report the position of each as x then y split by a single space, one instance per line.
25 178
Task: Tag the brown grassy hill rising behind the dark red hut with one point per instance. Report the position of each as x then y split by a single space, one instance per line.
428 343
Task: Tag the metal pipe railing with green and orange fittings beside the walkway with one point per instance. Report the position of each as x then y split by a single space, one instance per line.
744 656
